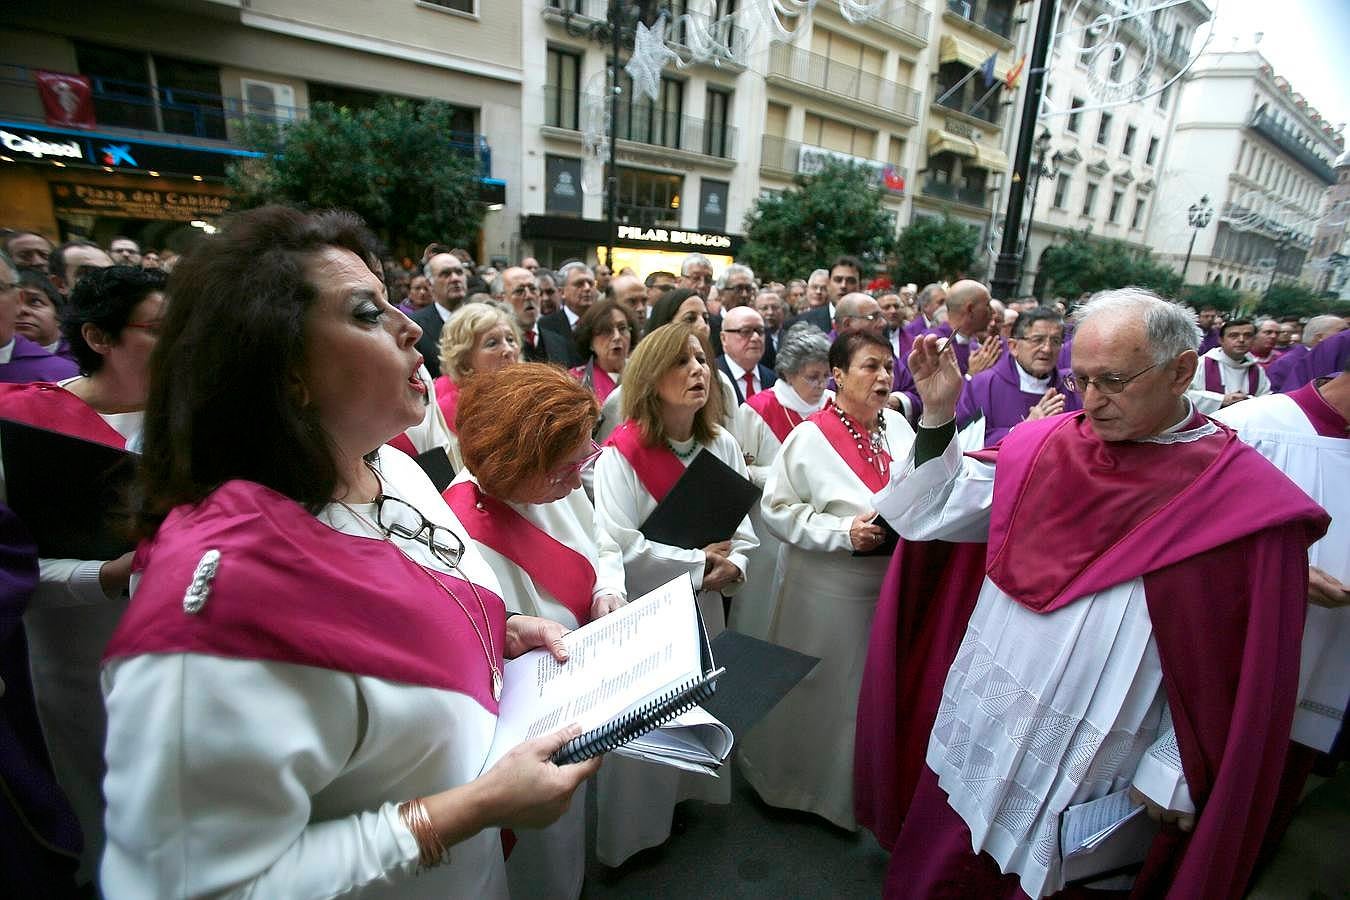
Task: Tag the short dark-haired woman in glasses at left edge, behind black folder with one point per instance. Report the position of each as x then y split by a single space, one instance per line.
111 323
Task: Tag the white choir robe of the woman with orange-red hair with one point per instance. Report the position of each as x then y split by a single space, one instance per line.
551 863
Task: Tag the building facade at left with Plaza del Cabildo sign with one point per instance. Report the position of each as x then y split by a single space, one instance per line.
172 83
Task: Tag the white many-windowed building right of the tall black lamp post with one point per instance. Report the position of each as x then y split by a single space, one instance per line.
1102 164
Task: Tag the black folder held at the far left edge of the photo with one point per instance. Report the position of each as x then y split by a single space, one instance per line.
72 495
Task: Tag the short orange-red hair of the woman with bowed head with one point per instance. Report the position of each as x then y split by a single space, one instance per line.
522 423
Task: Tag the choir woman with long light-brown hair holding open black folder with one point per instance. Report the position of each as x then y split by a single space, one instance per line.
672 418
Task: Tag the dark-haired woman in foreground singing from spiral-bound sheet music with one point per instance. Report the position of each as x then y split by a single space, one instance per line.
304 690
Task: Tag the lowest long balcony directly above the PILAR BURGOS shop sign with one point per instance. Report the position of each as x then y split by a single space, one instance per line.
643 123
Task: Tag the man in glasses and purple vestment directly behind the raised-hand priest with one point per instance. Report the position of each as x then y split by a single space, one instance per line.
1024 385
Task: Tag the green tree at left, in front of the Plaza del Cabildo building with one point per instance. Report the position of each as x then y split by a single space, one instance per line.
396 165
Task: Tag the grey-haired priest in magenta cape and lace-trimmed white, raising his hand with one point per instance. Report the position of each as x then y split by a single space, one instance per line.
1087 644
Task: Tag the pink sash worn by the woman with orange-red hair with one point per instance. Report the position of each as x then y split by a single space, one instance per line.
556 567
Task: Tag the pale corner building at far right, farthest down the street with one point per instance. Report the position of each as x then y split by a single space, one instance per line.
1251 144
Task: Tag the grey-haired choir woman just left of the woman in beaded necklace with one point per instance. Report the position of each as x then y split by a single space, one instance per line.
762 424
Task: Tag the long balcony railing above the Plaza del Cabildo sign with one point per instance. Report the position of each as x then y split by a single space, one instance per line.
141 110
